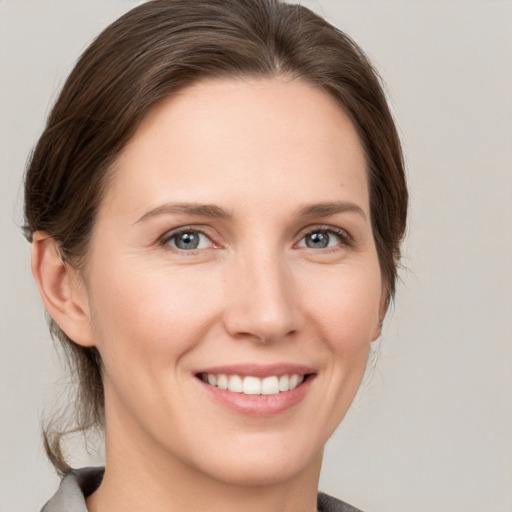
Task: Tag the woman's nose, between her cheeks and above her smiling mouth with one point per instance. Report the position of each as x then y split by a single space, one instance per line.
261 303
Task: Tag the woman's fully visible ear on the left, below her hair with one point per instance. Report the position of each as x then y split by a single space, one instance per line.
62 289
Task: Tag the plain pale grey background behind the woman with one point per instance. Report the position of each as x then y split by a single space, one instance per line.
432 428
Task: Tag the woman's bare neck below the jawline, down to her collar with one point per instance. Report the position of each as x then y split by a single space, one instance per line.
140 477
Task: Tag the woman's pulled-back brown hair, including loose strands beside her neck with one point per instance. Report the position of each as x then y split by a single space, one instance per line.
151 52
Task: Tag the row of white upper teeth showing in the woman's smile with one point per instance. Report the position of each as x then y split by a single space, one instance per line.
253 385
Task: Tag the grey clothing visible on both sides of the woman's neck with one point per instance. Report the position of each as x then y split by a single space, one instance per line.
77 484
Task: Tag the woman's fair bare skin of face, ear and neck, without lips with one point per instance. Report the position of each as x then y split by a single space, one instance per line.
253 291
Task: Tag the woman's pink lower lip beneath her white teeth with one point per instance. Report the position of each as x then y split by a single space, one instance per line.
259 405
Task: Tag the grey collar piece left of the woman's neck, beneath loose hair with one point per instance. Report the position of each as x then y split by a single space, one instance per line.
75 486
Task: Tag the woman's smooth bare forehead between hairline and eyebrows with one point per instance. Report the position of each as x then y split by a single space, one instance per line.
220 140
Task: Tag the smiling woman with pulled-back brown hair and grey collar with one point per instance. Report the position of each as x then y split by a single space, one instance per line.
216 207
